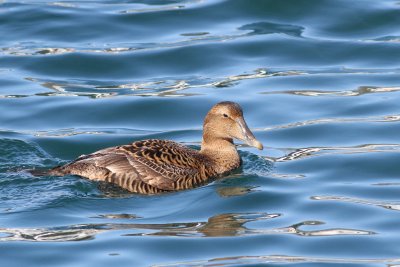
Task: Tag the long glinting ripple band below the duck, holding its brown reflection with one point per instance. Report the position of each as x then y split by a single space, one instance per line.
230 224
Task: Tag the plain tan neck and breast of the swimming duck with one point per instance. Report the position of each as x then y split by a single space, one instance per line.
221 152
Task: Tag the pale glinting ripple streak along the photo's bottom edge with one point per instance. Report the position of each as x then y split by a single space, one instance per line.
282 259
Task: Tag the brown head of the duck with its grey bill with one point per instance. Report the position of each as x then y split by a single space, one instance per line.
225 121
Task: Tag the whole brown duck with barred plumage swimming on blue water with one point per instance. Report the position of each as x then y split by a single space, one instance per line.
155 166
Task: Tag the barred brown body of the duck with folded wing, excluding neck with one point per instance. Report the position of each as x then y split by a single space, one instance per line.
141 166
